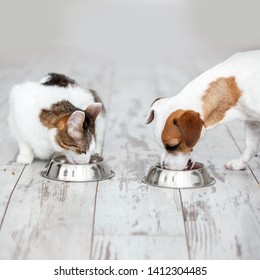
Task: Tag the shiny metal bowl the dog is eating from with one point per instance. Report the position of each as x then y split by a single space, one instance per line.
198 177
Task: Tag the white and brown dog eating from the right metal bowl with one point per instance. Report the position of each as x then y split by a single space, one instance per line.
229 91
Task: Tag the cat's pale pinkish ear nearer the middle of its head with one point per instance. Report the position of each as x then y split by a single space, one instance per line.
75 124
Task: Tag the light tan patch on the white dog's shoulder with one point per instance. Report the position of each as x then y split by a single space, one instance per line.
220 96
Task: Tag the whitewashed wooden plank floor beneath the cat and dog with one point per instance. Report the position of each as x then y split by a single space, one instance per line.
122 218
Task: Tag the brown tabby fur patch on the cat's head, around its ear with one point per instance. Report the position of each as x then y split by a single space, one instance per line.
57 117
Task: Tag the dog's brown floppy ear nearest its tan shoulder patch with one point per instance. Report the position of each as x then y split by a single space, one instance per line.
190 125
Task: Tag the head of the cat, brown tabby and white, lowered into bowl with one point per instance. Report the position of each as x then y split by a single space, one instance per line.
74 133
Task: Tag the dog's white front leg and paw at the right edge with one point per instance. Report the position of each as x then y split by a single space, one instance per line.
251 144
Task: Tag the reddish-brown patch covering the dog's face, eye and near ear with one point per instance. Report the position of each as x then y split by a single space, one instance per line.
183 128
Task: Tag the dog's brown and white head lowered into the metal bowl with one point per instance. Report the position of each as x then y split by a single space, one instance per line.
177 131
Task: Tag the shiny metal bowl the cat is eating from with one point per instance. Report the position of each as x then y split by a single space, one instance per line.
60 169
